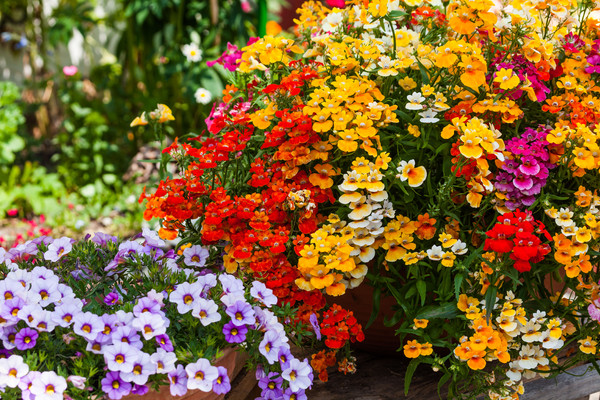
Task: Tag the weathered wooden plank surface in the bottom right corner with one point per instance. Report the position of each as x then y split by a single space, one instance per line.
579 382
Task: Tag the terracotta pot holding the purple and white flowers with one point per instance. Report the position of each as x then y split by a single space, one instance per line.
232 360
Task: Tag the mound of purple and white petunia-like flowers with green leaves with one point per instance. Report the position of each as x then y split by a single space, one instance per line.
167 334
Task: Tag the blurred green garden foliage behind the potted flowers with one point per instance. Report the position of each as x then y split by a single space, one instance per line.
66 138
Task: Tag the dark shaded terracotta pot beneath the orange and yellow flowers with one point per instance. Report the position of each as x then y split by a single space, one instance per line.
378 337
